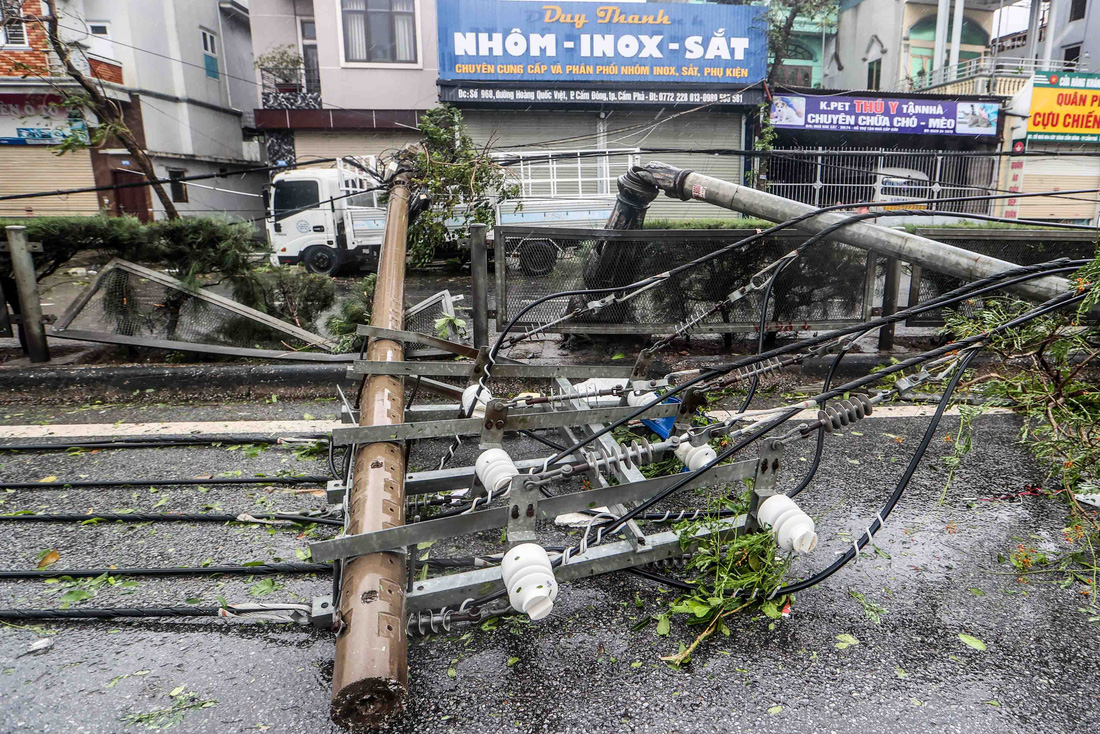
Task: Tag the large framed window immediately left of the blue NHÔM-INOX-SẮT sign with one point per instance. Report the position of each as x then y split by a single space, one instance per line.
380 31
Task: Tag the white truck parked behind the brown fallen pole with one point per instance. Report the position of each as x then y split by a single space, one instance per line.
329 221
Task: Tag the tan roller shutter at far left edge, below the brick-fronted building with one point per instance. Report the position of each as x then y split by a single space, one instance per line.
30 169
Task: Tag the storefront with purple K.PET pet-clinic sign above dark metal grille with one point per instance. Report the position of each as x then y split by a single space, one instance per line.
849 147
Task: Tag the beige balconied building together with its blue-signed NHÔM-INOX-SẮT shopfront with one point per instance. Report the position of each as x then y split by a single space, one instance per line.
366 72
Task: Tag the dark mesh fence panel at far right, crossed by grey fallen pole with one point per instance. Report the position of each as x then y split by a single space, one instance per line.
1015 246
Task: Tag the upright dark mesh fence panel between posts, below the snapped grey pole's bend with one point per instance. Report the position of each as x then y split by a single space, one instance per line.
827 286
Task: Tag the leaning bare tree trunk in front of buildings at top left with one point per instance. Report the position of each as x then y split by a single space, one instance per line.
94 100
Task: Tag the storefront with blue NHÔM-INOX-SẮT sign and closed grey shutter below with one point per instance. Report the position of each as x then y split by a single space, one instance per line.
578 76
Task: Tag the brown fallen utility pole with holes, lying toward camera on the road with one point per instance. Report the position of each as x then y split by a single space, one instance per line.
371 675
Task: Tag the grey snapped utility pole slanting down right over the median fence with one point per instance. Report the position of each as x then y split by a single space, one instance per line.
683 184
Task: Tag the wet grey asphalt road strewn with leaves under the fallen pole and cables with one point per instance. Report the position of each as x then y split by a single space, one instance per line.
937 575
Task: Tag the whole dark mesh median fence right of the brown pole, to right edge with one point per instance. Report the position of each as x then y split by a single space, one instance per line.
831 286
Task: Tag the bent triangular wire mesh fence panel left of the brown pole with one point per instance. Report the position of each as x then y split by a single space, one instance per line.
129 305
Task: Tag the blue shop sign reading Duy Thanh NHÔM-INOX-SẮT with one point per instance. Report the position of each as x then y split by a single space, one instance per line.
516 41
